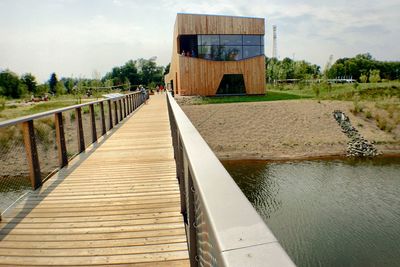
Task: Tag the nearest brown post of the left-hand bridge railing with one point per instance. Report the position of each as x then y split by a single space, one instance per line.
31 154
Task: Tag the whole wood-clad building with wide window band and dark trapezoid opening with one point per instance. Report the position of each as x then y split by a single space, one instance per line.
217 55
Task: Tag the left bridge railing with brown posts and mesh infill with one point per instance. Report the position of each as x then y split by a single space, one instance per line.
34 147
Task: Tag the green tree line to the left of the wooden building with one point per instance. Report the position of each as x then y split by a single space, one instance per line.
133 73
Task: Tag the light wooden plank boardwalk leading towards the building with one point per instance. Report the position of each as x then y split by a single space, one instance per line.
116 204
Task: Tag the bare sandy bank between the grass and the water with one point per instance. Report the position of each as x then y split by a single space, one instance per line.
279 130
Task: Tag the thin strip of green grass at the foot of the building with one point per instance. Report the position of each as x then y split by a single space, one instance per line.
269 96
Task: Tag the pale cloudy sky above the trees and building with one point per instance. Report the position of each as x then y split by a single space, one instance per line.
80 37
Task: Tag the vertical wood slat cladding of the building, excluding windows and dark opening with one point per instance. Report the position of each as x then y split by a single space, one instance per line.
196 76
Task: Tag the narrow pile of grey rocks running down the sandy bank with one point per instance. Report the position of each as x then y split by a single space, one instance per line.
358 146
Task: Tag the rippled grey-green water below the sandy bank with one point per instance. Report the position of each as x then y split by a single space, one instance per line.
328 213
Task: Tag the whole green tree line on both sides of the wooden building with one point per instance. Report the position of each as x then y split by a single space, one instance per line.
362 67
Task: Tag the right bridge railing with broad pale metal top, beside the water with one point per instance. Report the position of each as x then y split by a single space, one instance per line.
222 227
